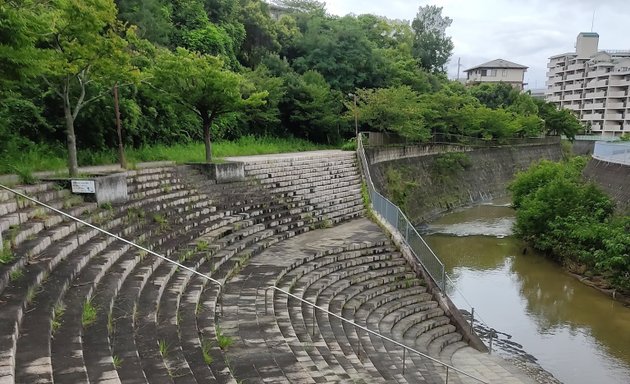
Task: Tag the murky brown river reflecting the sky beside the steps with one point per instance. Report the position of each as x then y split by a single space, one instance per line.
575 332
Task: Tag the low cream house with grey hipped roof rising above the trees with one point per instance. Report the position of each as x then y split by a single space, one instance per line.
497 71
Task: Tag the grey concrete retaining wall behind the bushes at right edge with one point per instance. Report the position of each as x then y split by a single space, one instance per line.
614 180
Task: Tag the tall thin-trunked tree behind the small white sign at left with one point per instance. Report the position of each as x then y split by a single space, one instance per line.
83 47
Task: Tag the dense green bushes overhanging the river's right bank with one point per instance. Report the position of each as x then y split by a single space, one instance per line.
572 221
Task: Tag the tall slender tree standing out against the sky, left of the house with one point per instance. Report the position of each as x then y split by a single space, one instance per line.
431 47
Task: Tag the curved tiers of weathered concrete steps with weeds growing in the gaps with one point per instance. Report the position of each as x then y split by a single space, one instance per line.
156 322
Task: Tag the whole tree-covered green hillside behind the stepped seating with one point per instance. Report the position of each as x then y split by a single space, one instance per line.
207 70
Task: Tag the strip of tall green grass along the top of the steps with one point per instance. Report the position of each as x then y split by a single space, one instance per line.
48 158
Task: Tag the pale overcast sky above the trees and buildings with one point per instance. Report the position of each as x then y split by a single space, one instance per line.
523 31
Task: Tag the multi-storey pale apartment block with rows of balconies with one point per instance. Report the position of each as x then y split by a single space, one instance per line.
594 84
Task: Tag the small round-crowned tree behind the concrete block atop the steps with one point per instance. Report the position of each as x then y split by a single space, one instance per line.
205 86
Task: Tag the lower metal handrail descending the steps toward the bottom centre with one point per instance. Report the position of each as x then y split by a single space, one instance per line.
350 322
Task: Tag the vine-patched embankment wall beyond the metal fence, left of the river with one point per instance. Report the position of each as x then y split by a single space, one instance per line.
425 189
